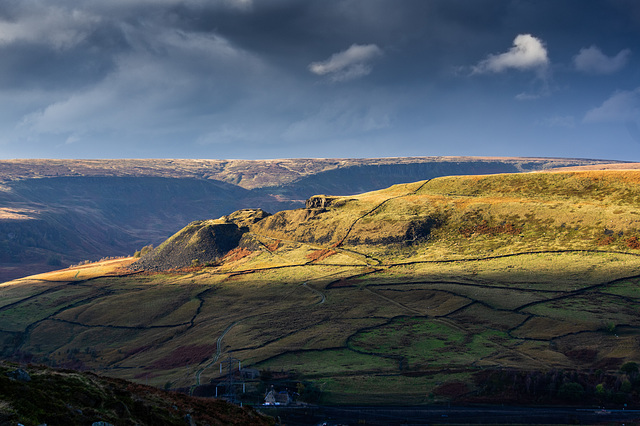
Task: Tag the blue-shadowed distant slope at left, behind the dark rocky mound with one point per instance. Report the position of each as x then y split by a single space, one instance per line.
59 221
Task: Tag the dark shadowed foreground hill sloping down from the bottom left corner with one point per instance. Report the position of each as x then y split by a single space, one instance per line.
37 395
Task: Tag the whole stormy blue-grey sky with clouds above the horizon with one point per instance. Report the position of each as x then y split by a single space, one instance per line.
260 79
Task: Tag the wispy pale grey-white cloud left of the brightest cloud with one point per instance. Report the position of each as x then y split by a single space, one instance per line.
348 64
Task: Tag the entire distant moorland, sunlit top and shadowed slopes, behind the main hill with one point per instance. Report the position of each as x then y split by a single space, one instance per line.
59 212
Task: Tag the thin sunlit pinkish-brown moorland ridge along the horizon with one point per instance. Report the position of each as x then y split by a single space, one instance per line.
250 174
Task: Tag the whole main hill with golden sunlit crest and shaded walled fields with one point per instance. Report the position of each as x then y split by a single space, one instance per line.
518 288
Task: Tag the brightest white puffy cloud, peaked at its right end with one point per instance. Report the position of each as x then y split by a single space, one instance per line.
527 53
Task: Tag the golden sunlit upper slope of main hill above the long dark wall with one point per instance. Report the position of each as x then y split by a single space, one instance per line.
477 214
